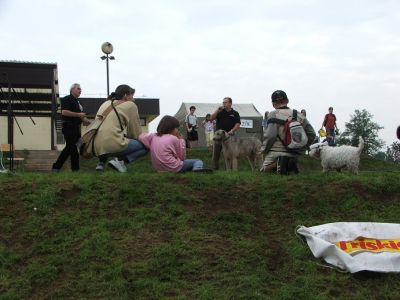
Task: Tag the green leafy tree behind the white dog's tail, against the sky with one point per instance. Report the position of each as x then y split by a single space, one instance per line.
361 124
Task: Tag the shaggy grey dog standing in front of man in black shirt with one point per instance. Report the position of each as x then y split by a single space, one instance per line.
235 147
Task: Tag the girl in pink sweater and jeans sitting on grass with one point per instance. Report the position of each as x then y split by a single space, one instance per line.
168 148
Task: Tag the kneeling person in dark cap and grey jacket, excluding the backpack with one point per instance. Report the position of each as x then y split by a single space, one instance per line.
277 156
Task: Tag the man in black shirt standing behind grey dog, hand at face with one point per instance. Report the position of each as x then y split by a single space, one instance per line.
228 119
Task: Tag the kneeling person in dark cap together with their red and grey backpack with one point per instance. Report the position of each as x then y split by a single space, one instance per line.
286 137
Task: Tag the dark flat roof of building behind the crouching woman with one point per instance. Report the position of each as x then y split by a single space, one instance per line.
146 106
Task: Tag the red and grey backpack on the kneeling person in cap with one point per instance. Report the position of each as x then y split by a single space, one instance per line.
294 135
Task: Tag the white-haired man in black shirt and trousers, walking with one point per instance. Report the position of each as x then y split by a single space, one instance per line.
72 116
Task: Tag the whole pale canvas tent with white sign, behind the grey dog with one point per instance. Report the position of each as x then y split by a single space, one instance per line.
251 119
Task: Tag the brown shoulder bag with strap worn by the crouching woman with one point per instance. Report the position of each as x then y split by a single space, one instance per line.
86 142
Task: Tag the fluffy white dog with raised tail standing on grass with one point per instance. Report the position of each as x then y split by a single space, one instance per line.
337 158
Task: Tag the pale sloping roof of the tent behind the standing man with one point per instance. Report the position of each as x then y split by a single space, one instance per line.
244 110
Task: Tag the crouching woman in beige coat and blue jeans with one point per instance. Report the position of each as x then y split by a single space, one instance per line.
118 135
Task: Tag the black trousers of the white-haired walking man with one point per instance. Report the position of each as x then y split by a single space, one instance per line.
72 133
